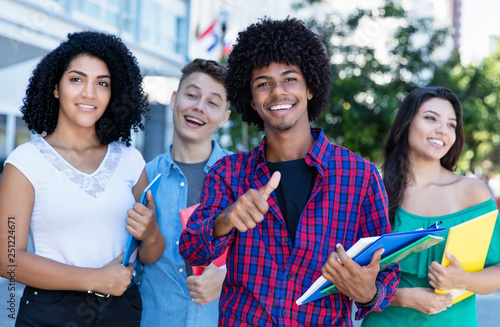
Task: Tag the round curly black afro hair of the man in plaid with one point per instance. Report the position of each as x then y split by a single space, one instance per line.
286 41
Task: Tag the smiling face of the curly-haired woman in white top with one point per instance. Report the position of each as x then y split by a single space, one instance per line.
83 92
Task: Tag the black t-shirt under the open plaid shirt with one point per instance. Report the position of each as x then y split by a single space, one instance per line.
294 190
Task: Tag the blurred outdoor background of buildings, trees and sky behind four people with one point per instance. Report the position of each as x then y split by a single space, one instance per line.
380 51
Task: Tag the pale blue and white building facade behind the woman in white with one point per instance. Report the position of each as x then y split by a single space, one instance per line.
155 31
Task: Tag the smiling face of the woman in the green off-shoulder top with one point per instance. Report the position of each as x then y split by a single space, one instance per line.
432 132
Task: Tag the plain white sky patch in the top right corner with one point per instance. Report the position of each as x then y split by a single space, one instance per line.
480 19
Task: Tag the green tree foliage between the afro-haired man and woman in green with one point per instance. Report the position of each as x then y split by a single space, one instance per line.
369 87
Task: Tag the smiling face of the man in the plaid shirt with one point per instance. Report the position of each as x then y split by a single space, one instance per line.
280 96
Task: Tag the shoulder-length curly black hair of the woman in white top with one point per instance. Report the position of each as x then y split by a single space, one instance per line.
127 104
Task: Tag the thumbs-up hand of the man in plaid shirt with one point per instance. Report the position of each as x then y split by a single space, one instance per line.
247 211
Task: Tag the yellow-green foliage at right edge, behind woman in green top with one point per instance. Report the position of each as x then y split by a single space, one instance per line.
477 85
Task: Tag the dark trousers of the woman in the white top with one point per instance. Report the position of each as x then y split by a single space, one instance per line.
74 309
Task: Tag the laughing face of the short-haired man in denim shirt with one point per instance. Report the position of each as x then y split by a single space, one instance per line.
199 107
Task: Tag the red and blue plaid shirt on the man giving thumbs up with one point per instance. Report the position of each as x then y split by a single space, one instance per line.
265 274
